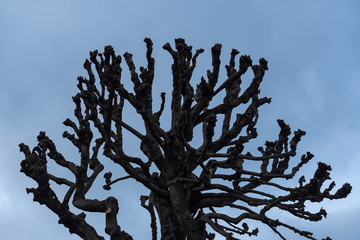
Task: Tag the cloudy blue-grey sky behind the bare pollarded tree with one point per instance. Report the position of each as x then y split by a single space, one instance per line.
313 80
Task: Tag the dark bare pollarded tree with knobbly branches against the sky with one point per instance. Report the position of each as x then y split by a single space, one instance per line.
191 188
